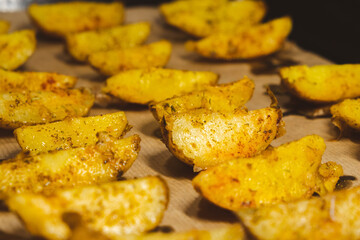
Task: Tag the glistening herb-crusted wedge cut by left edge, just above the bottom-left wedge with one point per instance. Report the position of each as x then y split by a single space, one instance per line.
44 173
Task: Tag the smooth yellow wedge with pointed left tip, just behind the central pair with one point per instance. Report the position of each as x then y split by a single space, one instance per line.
156 84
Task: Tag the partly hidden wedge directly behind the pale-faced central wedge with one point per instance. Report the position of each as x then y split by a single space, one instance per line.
223 97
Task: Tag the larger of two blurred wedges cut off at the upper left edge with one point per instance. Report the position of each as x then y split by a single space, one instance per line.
16 48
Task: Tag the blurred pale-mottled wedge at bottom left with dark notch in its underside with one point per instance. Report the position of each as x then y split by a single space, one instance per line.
115 209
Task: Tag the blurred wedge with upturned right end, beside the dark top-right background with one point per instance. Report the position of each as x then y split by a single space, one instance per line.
246 42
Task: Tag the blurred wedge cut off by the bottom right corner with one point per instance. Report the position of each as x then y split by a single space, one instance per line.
334 216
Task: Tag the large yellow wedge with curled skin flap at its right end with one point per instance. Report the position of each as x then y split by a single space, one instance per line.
290 172
